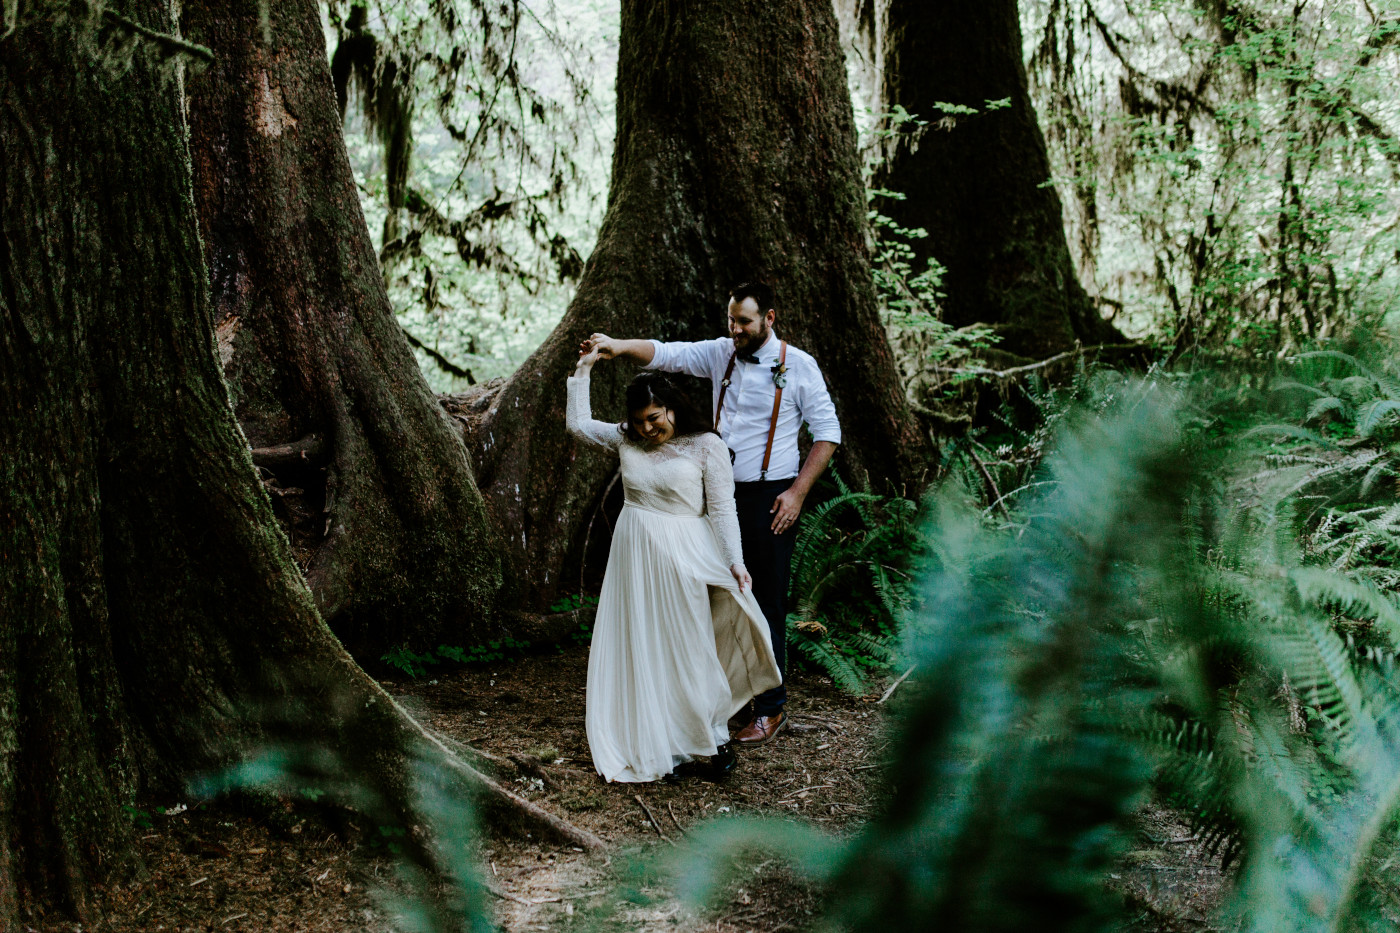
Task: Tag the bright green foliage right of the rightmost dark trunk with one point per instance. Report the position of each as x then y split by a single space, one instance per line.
1230 169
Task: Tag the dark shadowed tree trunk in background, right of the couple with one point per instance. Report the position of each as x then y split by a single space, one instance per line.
978 183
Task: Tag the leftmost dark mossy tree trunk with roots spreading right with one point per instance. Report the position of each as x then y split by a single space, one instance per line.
152 620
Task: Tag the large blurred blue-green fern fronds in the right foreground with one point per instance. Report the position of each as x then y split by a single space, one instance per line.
1154 620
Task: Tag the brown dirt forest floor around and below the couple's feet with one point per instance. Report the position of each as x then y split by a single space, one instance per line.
216 868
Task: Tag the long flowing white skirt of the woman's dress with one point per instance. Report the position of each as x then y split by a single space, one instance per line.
677 648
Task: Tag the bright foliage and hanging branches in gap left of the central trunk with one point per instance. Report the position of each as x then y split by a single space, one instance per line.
481 135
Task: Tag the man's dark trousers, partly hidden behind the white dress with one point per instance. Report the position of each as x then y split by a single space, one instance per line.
769 561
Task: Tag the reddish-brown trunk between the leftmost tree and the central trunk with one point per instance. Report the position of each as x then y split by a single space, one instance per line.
380 501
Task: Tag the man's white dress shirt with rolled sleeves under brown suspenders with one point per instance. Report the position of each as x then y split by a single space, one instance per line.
748 406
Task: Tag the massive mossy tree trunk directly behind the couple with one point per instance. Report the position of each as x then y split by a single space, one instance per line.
736 159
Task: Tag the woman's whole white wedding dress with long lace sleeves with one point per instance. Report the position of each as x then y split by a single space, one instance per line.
677 648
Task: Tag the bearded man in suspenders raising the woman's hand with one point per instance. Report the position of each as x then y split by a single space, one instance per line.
764 392
